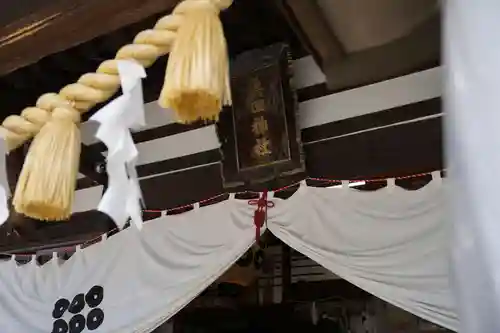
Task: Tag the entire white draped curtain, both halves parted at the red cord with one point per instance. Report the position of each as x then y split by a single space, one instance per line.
393 243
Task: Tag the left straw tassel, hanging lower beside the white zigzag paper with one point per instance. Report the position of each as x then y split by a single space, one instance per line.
46 185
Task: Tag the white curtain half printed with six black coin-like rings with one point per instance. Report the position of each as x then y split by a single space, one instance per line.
146 275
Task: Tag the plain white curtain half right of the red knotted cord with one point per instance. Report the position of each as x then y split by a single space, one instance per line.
392 242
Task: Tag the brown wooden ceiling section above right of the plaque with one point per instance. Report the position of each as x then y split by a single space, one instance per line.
361 42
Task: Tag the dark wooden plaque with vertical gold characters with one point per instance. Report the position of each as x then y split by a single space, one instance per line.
259 135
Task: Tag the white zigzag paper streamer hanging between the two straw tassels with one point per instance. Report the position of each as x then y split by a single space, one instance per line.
123 197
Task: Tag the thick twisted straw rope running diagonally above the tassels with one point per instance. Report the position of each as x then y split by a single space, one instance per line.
98 87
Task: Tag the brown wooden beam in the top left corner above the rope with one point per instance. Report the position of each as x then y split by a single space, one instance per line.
60 25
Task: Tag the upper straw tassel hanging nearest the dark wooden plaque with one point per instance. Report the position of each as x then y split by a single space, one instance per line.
197 77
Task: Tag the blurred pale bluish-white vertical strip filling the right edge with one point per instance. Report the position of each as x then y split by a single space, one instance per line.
472 107
